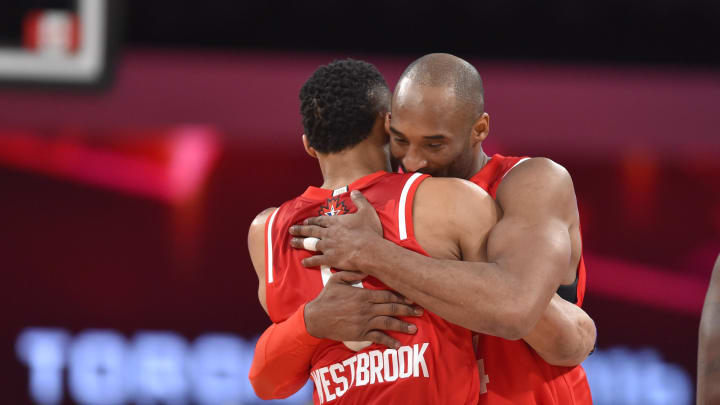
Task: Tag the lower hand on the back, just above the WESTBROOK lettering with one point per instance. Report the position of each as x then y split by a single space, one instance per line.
345 313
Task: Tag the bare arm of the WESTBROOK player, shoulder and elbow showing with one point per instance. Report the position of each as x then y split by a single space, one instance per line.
565 334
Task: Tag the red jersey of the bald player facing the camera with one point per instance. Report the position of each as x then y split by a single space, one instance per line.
523 377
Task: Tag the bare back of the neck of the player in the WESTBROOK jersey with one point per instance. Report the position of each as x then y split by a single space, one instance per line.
342 168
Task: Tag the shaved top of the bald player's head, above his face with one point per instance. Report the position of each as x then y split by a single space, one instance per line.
455 76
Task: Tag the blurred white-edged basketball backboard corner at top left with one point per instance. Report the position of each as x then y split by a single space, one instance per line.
66 43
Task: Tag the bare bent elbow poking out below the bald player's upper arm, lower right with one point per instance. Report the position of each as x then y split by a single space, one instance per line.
564 336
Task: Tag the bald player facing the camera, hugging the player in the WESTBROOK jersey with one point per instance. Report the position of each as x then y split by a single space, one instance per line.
437 126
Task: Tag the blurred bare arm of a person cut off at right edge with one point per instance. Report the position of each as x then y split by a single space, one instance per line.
709 346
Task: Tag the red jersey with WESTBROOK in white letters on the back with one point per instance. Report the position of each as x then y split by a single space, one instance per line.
434 366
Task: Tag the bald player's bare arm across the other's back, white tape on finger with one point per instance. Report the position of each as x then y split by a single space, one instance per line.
528 253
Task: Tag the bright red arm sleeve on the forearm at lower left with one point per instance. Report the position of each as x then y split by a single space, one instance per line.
281 365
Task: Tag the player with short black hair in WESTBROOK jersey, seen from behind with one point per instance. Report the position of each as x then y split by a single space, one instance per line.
343 106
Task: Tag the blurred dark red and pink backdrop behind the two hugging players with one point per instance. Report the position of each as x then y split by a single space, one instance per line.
90 239
